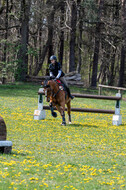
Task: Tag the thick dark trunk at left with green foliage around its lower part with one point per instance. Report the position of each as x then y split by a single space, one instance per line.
22 69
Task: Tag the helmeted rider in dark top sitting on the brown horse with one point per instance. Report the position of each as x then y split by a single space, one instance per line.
55 70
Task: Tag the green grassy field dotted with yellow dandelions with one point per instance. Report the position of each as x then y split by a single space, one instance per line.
89 154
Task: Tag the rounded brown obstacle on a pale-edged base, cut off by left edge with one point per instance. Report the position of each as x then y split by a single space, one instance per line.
5 146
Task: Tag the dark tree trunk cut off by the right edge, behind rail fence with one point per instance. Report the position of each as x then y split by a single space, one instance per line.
122 73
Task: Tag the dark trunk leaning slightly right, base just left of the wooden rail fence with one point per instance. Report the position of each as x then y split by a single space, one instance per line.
97 44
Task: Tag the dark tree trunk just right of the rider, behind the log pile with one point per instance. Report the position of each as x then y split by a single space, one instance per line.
73 37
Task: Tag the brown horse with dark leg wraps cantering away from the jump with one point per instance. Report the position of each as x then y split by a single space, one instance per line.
57 96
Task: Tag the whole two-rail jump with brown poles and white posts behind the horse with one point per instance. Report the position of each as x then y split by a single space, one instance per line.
117 117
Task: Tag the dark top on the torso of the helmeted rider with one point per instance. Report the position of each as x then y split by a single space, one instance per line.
55 69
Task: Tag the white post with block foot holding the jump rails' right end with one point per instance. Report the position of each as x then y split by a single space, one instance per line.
117 118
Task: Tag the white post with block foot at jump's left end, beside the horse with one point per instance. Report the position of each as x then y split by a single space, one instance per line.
40 113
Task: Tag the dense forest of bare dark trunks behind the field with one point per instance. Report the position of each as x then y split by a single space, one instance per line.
87 36
